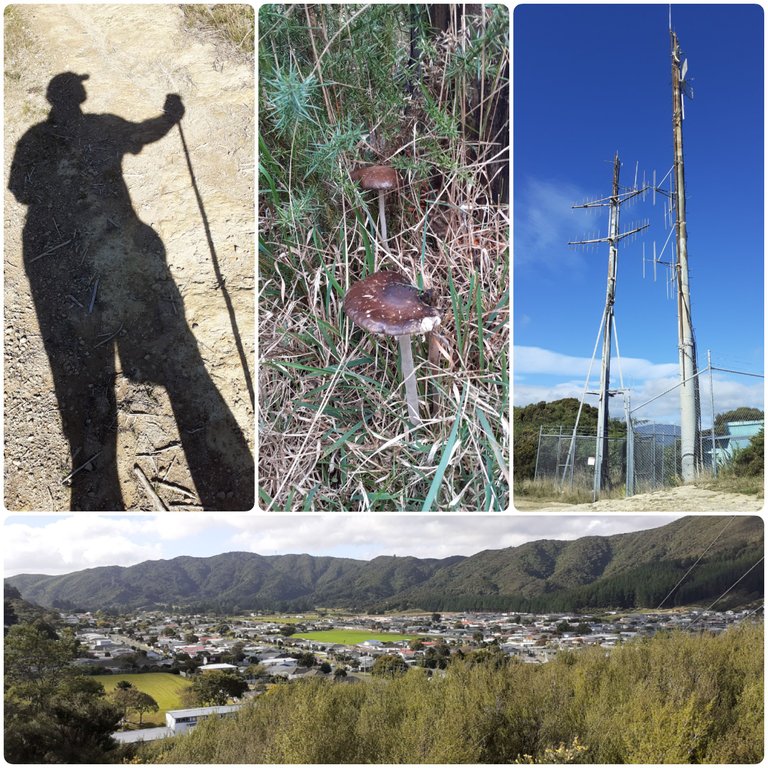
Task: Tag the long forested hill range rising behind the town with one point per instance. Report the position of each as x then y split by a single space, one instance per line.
625 570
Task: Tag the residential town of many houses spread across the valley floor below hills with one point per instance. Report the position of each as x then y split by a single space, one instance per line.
157 642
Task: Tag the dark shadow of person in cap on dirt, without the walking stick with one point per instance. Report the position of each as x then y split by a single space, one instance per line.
82 239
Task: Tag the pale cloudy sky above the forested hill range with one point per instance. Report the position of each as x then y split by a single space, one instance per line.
56 544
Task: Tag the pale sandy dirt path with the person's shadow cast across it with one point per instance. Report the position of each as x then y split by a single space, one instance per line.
181 409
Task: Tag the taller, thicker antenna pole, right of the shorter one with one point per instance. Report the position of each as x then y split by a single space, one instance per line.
689 382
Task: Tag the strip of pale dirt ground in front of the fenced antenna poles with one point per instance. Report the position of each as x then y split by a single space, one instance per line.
680 499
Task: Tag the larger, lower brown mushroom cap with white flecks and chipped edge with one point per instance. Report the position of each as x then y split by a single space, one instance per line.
387 302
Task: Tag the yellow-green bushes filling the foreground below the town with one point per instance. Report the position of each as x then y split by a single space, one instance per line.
675 698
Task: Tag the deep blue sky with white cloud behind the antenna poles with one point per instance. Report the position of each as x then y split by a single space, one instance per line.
591 80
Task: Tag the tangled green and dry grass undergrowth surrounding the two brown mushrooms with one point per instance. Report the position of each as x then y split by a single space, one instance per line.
345 86
